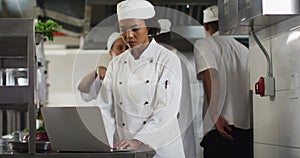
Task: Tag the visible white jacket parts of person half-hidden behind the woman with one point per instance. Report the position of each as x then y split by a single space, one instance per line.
104 60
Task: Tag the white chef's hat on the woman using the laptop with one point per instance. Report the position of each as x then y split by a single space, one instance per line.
135 9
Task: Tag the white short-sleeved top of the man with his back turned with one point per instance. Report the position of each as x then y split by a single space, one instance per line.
230 59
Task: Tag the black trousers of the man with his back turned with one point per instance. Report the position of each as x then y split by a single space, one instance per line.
215 146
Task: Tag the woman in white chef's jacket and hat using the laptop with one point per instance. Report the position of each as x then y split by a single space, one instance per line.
140 96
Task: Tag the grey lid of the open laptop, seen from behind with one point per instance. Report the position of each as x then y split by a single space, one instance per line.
74 129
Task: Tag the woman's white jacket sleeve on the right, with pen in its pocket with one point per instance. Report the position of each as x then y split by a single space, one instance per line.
162 128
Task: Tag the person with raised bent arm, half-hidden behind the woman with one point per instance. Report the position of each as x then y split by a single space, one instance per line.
90 84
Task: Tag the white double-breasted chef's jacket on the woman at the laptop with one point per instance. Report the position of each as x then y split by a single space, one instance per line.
142 97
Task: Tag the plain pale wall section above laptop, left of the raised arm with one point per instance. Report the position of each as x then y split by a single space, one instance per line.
66 68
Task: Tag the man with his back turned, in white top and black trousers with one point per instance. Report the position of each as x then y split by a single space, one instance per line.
222 64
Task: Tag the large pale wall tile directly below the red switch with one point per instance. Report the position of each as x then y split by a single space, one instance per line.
277 122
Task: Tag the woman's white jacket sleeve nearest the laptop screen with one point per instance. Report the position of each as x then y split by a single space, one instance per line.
105 102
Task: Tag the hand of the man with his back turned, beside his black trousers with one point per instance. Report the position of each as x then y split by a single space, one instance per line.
223 128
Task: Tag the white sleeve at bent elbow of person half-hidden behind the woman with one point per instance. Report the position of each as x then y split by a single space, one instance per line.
94 90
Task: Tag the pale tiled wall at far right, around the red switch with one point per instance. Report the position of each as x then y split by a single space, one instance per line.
276 120
